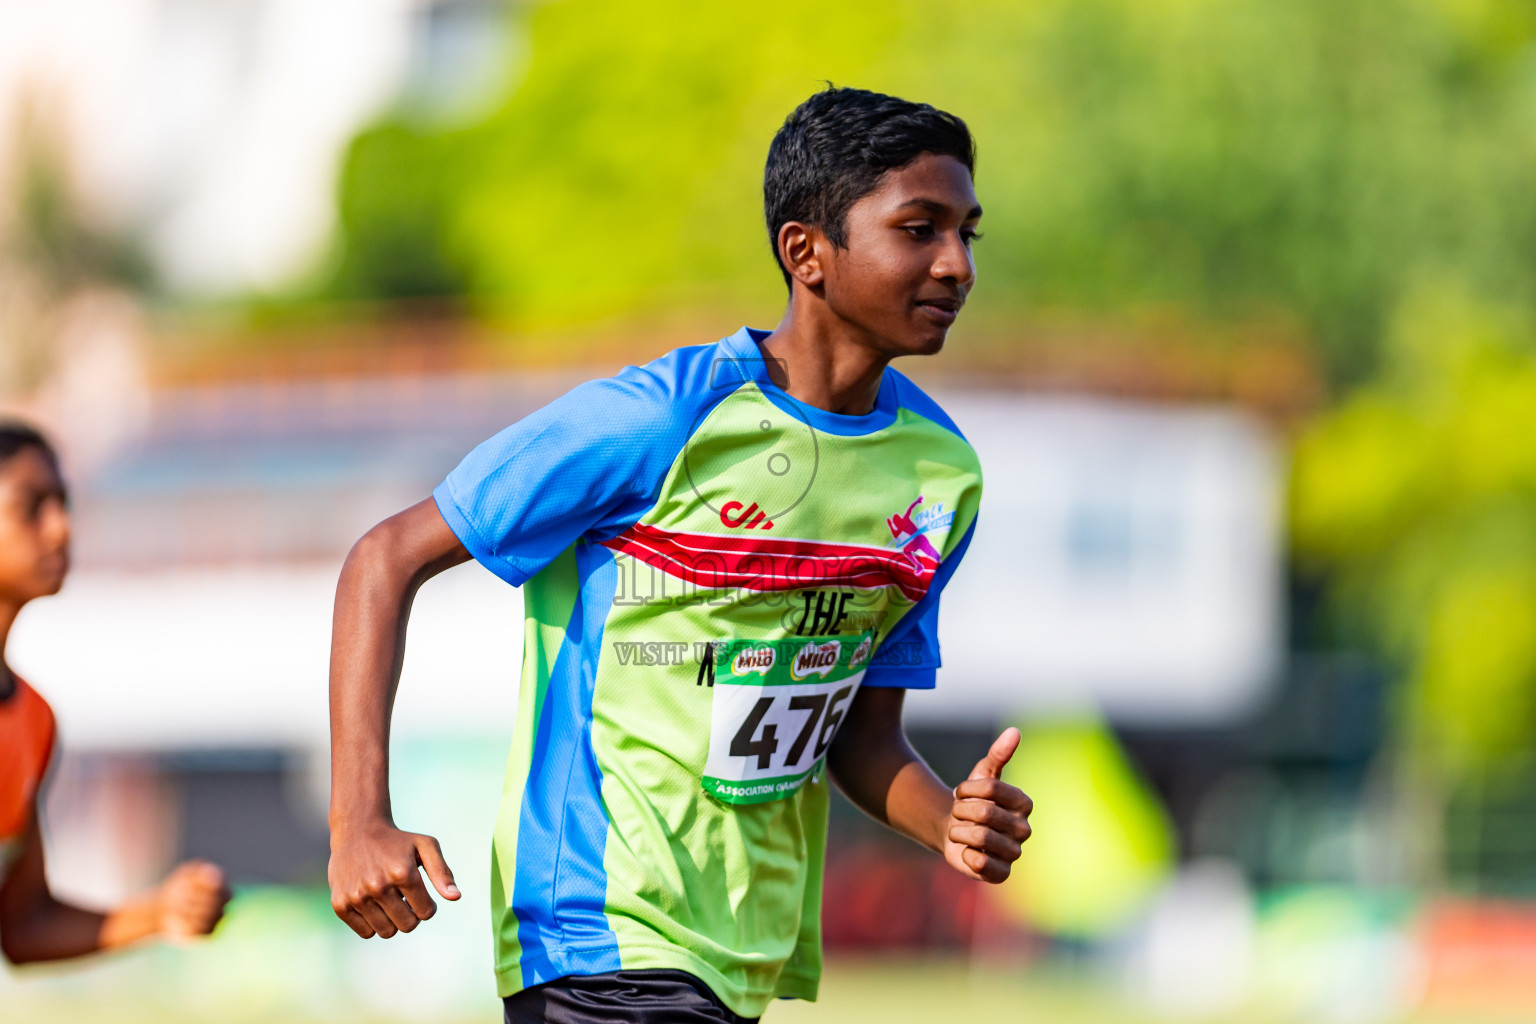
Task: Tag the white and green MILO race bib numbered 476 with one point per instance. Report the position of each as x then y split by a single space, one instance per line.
778 705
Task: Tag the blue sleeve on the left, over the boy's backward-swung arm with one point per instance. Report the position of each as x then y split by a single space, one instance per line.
592 461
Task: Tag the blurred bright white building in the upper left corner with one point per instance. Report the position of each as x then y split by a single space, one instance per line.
213 130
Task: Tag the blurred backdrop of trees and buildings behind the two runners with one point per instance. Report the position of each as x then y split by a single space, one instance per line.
1251 368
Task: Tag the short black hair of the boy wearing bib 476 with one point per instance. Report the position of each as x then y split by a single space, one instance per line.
835 148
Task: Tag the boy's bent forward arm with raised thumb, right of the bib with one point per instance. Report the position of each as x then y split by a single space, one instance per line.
979 827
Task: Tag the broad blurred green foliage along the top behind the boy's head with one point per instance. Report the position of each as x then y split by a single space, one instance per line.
1297 159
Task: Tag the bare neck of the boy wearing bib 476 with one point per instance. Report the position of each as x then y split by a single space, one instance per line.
824 363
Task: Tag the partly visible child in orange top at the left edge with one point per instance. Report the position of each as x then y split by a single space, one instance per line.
35 558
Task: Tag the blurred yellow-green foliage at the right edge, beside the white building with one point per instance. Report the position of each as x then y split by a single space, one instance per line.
1420 495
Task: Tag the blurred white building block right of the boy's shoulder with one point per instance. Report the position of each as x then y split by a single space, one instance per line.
1127 561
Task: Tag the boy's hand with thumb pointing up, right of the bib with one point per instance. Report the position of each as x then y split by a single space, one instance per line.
990 819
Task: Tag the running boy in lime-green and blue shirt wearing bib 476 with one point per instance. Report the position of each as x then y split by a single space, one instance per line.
732 563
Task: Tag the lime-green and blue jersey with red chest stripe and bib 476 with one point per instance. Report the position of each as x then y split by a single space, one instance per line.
710 572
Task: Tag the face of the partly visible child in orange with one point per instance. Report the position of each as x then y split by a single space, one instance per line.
35 527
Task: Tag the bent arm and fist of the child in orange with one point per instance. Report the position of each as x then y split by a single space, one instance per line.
35 927
